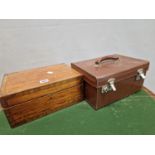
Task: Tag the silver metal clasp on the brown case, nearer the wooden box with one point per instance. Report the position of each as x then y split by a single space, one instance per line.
110 86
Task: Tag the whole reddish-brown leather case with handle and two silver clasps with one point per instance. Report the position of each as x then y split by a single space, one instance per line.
110 78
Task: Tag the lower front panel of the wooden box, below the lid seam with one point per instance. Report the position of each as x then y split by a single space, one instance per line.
44 105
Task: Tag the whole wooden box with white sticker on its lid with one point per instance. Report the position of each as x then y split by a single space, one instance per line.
30 94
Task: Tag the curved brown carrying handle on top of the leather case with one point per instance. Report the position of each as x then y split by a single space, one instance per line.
106 58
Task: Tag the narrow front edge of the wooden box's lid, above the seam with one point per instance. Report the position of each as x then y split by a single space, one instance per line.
35 93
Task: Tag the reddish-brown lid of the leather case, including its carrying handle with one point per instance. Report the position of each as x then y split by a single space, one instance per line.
98 71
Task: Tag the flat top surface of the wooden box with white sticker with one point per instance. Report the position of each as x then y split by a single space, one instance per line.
16 82
